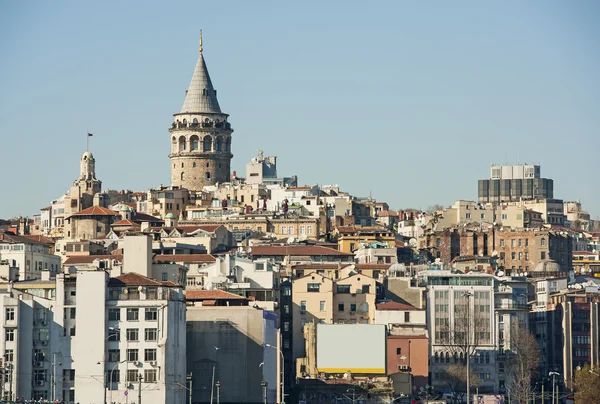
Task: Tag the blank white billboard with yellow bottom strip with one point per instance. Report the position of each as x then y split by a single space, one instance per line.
358 348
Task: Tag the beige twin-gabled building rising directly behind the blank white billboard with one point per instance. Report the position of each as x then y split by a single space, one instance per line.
317 299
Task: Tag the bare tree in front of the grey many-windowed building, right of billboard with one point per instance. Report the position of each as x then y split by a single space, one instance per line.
469 329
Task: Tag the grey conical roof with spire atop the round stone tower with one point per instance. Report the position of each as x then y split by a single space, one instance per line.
201 96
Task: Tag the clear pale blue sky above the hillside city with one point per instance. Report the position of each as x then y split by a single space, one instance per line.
410 100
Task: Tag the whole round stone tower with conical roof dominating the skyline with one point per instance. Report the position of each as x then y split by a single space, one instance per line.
200 135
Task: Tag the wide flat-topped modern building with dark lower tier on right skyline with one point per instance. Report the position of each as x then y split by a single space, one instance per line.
512 183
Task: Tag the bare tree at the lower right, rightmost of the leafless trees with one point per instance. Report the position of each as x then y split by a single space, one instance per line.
522 363
